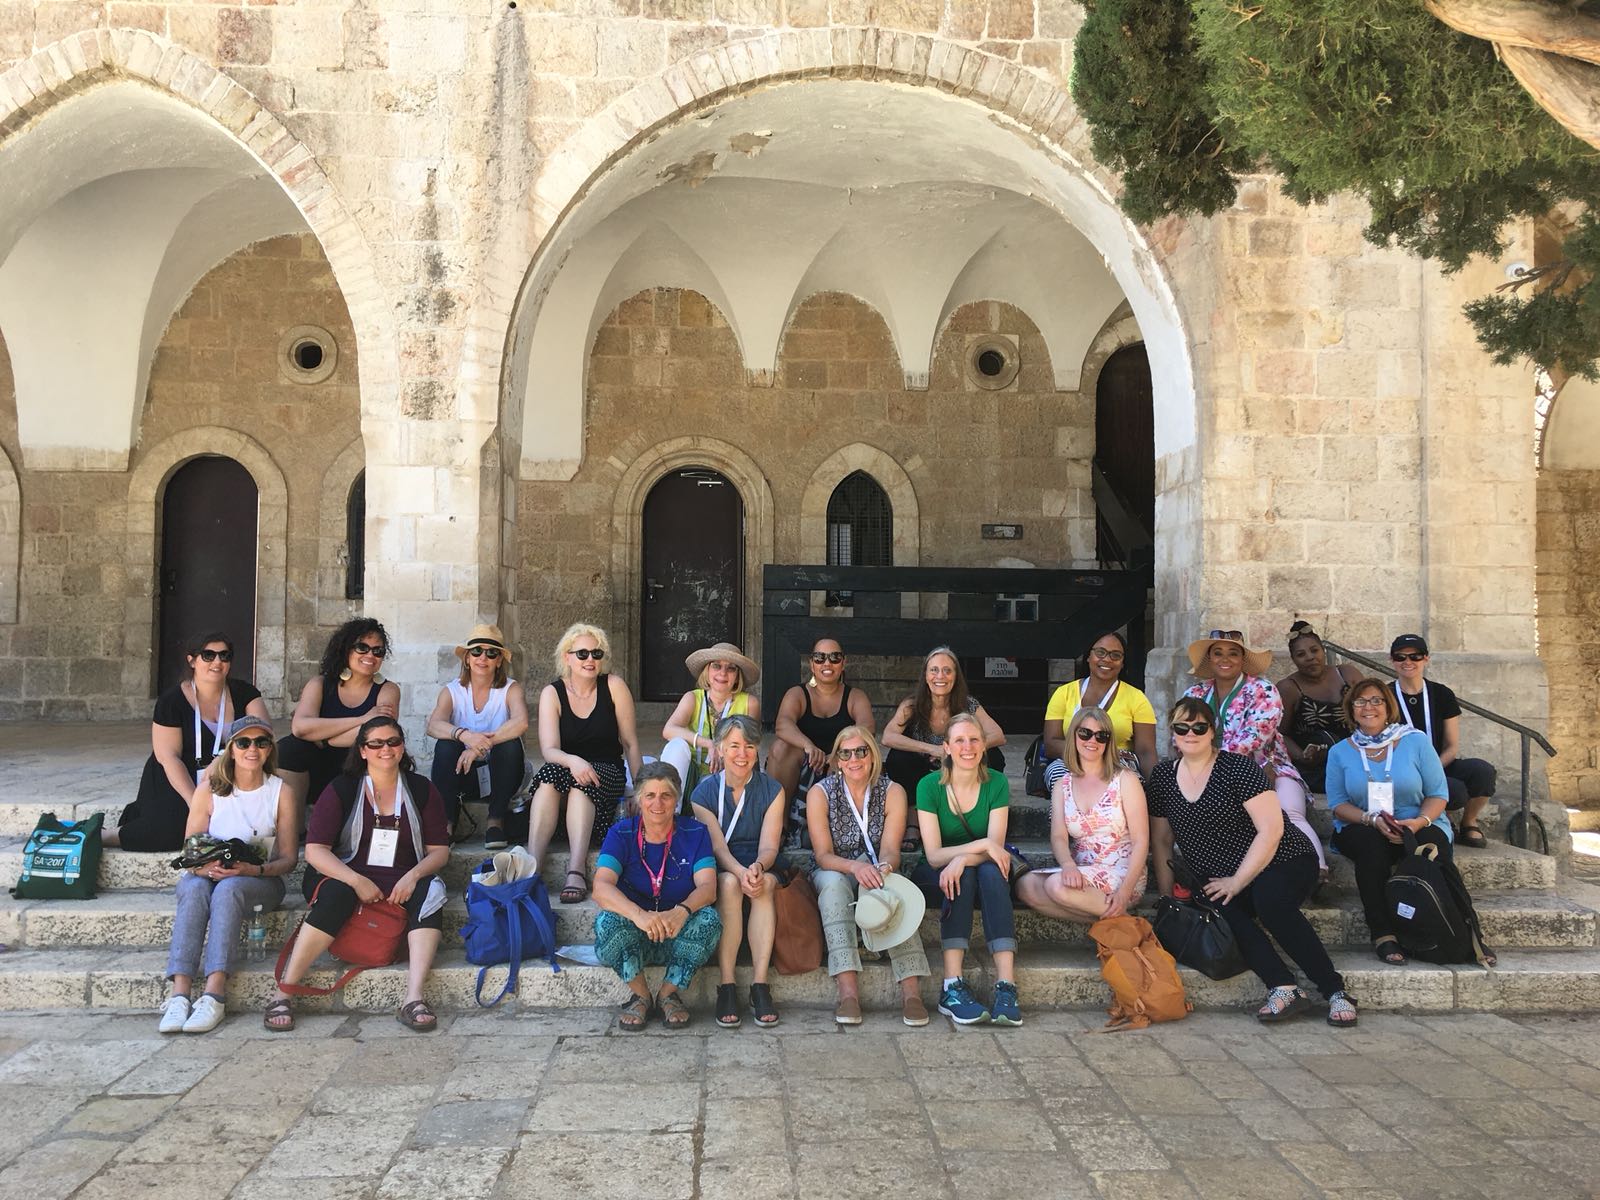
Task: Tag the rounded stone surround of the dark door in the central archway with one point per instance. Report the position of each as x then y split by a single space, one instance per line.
633 484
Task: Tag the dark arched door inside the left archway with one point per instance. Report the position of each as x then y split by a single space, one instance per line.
209 564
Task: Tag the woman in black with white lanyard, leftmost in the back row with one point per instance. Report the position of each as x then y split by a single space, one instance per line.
186 735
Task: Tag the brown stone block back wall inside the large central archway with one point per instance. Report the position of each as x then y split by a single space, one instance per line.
665 366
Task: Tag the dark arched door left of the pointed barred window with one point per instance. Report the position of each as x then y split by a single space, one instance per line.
694 575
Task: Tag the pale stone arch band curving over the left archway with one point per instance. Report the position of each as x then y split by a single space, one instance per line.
76 65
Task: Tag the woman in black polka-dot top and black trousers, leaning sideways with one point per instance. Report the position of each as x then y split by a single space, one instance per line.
1226 820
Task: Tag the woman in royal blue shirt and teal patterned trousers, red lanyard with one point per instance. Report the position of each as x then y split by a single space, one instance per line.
657 887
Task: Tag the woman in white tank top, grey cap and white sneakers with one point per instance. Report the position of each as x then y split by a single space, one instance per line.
241 798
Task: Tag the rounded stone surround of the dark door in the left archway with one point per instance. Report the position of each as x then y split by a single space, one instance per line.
146 484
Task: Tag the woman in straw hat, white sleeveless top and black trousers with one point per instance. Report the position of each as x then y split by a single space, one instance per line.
479 722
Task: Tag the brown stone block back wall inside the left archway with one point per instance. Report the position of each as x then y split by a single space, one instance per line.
86 614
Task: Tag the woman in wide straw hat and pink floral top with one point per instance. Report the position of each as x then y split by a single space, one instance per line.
1249 711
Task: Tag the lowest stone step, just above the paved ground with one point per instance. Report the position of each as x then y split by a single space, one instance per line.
1526 982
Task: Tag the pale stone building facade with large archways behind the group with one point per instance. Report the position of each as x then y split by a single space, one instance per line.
564 249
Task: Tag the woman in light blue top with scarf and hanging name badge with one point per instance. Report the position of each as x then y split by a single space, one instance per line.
1385 767
